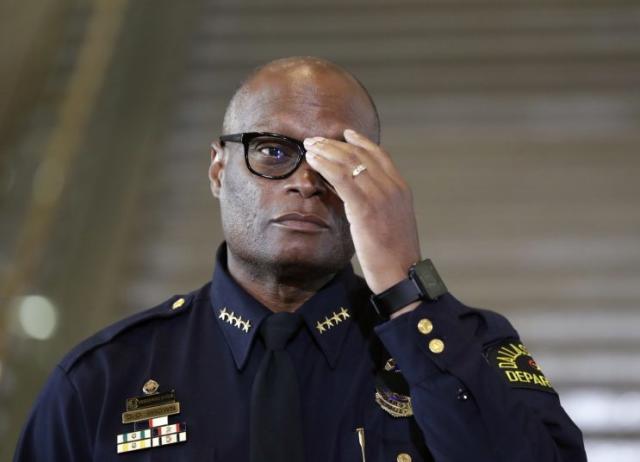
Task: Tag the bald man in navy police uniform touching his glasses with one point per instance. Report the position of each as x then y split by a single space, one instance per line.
282 356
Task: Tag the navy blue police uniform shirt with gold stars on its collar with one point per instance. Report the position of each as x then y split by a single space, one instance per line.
463 385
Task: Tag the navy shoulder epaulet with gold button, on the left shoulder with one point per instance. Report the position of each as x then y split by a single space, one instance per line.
174 306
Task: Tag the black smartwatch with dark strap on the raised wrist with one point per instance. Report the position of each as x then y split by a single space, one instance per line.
423 283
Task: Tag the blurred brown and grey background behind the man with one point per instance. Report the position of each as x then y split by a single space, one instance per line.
516 123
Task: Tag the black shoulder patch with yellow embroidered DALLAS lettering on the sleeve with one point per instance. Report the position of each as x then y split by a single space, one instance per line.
518 368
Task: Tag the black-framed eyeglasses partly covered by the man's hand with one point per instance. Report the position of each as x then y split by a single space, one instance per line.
269 155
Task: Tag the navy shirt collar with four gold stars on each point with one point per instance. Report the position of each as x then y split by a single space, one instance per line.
328 314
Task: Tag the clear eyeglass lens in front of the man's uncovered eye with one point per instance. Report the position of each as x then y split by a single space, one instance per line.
273 156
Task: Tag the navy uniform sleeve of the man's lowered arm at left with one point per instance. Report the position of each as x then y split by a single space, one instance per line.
56 429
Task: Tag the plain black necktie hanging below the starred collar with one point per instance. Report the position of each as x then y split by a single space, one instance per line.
276 421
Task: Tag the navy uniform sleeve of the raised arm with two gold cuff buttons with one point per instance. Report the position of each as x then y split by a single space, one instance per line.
466 408
